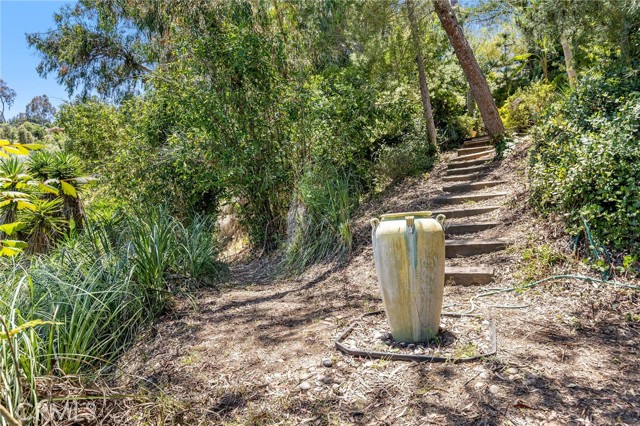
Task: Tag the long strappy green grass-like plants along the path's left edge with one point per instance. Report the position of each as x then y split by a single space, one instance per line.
76 309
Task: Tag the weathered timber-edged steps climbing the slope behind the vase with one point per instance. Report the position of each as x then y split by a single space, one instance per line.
466 173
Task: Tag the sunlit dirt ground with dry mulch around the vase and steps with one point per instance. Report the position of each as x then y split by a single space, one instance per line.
239 356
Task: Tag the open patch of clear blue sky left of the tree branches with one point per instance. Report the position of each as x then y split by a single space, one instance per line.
17 61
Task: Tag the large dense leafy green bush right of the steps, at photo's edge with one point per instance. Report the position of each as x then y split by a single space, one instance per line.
586 159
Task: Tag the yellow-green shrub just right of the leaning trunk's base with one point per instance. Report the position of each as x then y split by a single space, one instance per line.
522 109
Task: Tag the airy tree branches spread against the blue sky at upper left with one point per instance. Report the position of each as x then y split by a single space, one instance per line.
106 47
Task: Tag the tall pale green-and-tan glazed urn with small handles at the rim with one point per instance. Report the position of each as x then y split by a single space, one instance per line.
409 257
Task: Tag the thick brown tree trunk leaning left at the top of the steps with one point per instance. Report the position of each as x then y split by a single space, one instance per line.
477 82
